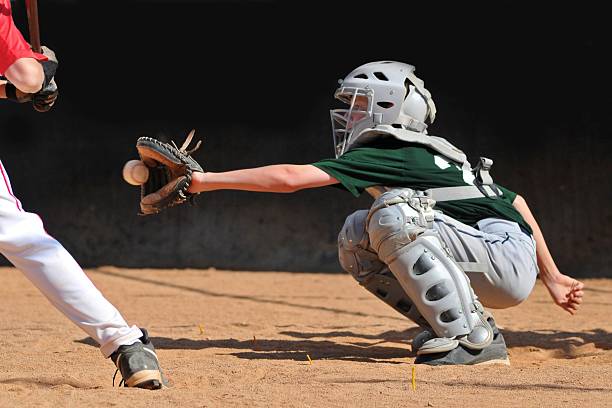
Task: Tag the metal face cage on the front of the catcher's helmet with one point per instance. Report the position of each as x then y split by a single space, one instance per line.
345 122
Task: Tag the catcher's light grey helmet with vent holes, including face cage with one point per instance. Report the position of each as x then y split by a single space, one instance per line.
380 93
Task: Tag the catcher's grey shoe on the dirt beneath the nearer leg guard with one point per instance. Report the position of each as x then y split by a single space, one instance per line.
495 353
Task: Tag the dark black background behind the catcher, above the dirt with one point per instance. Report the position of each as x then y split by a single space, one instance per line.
528 87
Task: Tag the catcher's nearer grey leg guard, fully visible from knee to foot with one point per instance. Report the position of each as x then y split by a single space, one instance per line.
400 233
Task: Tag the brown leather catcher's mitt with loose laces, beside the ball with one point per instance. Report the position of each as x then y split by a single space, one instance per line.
170 170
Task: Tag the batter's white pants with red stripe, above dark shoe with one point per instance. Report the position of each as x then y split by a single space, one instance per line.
45 262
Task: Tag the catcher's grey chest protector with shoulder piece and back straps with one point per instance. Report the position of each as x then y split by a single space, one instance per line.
482 185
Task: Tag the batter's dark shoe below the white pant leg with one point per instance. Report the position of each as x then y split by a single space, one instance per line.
138 365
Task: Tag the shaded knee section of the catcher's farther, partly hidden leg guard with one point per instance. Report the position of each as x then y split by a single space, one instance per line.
354 251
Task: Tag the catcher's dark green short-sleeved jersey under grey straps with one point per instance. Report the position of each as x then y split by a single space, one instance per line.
391 162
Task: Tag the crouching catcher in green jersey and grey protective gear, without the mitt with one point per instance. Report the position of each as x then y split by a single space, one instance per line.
441 243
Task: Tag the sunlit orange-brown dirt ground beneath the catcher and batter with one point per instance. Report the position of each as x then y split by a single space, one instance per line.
245 339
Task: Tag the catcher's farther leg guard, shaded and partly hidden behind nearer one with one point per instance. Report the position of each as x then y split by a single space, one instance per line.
359 259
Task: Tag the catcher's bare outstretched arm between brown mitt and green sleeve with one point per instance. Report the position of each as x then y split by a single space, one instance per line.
278 178
